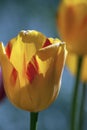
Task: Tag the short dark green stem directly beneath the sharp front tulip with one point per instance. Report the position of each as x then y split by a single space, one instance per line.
33 120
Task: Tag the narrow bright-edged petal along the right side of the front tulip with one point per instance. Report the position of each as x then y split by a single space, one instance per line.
59 66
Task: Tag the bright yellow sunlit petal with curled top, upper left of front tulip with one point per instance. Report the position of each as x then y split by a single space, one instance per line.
27 43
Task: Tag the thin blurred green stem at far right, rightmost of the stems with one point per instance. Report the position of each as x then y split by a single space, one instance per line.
82 107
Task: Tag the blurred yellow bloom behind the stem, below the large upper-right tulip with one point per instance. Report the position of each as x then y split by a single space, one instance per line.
71 63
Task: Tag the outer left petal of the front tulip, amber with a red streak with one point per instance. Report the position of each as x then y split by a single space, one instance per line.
13 89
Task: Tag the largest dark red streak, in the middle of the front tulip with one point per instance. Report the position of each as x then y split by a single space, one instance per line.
32 69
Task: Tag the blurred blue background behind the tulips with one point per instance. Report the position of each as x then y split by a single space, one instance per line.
16 15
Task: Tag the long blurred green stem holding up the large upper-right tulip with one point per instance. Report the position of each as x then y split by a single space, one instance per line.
74 102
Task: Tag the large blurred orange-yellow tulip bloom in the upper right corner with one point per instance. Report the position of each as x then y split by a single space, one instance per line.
72 25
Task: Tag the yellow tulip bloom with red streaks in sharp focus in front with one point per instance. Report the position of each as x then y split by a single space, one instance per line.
32 66
